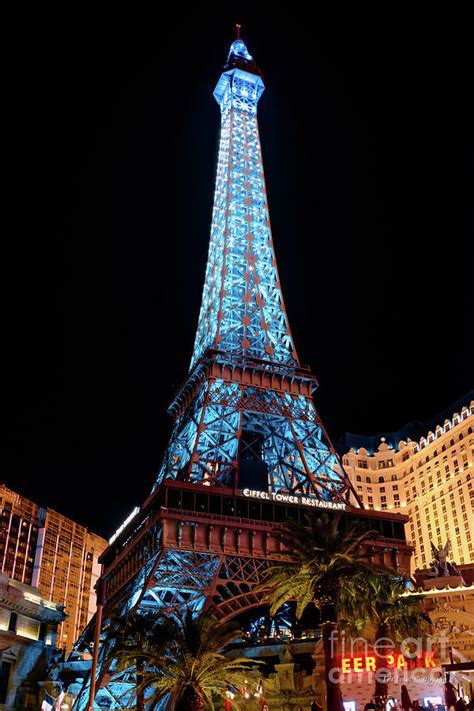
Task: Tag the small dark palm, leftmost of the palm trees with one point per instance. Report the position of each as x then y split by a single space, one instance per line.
130 642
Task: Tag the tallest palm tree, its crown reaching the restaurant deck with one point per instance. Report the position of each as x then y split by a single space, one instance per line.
319 558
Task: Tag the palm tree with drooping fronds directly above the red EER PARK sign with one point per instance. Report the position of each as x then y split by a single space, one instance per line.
379 602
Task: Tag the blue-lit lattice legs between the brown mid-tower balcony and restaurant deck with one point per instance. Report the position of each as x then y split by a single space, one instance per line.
205 441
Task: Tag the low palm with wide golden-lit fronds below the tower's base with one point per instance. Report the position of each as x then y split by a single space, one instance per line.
189 665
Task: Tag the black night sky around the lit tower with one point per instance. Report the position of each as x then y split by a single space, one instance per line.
367 136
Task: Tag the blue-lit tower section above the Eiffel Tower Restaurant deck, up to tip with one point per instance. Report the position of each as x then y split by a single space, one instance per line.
245 415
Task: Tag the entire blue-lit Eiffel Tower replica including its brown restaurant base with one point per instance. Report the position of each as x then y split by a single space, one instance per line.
248 449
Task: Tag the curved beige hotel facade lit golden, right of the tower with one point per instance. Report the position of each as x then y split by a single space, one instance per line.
430 480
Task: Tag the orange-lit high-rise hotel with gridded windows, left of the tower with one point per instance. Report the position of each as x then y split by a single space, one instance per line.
42 548
